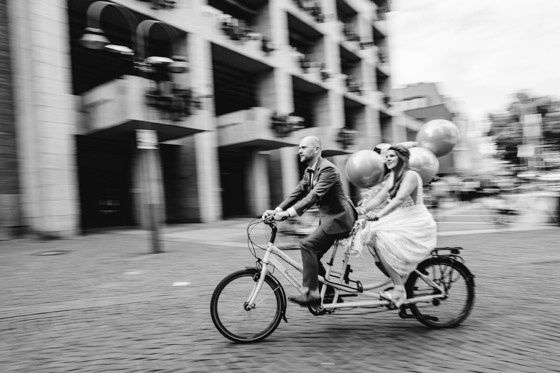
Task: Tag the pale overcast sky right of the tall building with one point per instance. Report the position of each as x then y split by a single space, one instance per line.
479 52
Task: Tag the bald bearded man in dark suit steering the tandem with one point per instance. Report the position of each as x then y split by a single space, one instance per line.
321 185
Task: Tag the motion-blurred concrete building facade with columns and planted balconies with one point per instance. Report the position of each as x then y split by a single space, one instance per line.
122 113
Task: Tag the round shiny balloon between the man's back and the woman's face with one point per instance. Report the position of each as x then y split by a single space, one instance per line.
365 168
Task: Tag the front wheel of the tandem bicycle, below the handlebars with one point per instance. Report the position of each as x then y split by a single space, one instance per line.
238 321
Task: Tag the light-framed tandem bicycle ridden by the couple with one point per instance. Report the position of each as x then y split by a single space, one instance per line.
249 304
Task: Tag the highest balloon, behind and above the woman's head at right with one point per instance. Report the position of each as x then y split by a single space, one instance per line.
439 136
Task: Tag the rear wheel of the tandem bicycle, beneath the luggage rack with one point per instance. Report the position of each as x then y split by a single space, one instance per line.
458 284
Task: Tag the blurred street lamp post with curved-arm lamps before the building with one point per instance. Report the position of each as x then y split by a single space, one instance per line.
94 38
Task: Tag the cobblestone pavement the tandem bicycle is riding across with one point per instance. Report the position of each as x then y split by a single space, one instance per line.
105 304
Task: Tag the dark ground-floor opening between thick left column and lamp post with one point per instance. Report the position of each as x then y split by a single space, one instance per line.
104 172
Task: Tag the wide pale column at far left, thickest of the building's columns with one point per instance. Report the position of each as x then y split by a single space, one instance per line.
46 116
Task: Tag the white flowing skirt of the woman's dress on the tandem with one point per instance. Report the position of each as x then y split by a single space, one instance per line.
403 238
